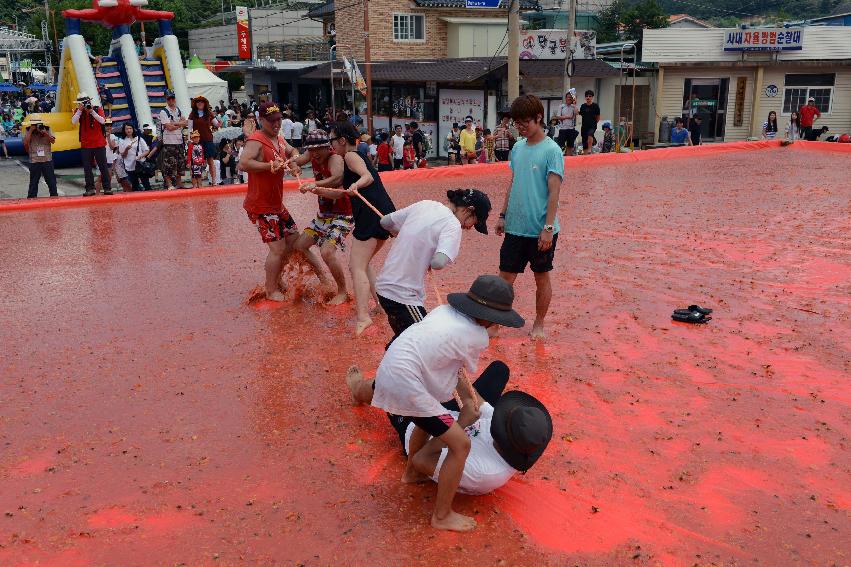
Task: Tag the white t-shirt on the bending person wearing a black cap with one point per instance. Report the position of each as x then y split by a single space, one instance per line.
424 228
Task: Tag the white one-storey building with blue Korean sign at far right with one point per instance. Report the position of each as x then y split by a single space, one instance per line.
734 82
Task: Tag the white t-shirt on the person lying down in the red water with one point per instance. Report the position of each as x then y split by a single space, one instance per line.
485 470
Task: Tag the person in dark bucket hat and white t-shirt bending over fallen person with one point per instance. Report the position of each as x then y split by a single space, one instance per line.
420 371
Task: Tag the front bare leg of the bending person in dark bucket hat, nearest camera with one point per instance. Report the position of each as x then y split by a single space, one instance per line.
443 517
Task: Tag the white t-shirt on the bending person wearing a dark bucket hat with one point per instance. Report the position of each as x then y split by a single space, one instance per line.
420 369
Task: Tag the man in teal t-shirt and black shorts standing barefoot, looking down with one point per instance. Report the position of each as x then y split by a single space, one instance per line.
528 218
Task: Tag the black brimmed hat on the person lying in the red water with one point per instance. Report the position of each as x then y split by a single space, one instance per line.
521 428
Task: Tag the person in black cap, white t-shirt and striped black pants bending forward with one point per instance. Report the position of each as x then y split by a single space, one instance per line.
428 236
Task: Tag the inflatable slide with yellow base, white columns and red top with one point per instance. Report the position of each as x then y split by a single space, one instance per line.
137 83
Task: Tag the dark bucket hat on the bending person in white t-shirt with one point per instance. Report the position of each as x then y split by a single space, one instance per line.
490 299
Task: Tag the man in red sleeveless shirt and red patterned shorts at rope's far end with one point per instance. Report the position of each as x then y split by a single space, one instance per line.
266 158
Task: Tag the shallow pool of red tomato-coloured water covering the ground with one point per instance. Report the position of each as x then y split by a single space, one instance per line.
150 417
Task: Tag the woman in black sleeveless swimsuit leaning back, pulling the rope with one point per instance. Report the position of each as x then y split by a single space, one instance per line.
360 175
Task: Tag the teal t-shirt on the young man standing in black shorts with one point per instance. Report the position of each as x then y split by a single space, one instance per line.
531 165
